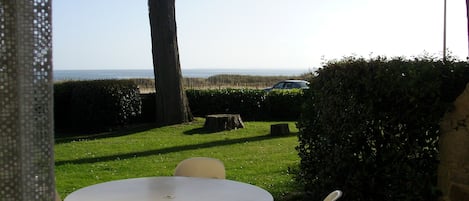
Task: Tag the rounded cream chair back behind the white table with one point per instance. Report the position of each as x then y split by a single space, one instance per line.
201 167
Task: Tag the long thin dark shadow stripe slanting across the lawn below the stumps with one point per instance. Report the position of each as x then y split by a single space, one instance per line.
166 150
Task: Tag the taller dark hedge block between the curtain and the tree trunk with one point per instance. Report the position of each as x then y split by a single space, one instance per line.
95 105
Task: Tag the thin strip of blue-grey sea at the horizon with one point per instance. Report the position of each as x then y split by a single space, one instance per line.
60 75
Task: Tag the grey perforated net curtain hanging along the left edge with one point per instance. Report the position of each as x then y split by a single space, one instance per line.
26 116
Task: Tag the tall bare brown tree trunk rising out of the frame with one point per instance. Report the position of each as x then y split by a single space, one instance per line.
172 106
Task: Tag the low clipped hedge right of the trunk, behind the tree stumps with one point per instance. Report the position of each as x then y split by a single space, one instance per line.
251 104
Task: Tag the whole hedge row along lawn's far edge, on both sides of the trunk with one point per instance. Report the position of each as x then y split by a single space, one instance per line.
103 104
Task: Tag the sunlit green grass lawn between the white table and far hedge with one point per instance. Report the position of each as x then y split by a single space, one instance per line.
250 155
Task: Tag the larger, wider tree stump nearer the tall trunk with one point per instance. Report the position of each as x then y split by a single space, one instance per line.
220 122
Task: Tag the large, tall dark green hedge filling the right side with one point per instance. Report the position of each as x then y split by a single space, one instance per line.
371 127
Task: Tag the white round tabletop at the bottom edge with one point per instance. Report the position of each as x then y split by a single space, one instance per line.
171 188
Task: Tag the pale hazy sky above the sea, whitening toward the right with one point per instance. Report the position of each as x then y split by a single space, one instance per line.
263 34
